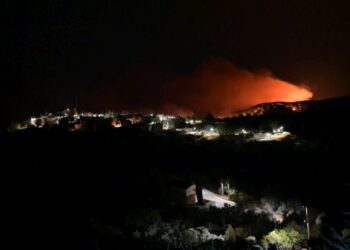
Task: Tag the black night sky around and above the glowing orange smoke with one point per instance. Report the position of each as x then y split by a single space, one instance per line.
124 54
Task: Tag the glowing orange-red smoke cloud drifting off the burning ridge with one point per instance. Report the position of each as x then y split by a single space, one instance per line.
219 87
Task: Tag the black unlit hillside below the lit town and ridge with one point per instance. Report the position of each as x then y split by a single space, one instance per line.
81 189
